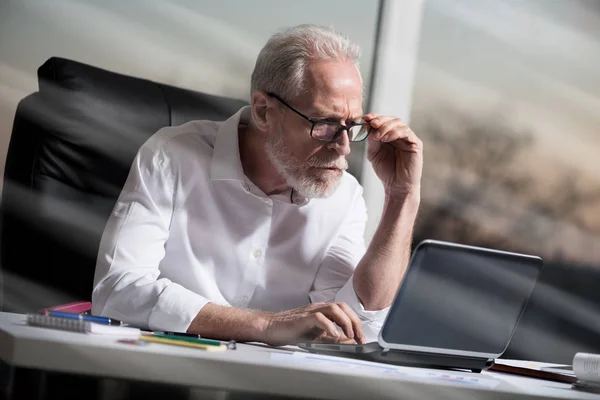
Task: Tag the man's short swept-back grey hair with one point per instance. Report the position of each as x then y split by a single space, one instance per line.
281 64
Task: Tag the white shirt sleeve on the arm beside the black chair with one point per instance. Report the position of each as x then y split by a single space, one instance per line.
127 282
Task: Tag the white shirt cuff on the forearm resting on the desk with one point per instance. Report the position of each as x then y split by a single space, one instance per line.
175 309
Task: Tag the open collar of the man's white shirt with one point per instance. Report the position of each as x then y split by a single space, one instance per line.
226 163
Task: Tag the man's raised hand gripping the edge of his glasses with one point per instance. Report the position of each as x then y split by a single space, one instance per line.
396 154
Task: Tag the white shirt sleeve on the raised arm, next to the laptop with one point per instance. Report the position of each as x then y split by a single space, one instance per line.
333 282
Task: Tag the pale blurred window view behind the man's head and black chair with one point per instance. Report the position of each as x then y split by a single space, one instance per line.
208 46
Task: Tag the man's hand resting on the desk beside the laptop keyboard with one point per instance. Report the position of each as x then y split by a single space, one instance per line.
314 322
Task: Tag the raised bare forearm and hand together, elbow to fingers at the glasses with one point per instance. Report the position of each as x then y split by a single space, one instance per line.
396 154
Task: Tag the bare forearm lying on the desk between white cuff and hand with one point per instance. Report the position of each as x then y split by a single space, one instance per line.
228 323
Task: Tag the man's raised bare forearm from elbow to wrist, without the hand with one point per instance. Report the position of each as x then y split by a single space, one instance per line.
379 273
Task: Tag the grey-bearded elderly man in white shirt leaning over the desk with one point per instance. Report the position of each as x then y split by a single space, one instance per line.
250 229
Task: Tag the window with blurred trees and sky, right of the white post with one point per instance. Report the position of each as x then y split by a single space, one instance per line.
507 101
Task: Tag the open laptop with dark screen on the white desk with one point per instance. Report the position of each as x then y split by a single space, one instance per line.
457 307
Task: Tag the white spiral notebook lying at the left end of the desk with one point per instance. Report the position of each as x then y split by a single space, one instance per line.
75 325
